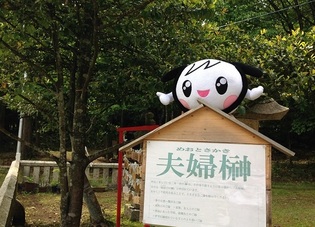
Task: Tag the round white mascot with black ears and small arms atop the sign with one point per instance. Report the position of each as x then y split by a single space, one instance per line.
219 84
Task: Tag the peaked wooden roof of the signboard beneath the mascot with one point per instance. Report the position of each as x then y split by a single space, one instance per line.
207 124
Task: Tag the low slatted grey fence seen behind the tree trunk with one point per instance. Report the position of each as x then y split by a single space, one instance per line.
46 173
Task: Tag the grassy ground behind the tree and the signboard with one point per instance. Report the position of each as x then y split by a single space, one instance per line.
293 203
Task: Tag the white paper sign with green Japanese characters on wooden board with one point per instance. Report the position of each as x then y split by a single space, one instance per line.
205 184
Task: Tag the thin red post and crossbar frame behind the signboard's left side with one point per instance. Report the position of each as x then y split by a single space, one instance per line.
121 131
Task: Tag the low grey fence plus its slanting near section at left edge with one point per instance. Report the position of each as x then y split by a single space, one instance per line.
45 173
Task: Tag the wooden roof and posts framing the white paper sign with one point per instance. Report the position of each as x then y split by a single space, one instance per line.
208 125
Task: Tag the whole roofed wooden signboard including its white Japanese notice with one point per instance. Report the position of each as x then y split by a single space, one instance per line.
205 168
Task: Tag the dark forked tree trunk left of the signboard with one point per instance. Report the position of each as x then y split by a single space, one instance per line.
85 54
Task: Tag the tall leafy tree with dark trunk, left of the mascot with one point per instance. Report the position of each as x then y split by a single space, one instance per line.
79 56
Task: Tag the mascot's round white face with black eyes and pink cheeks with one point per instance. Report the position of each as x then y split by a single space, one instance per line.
217 83
